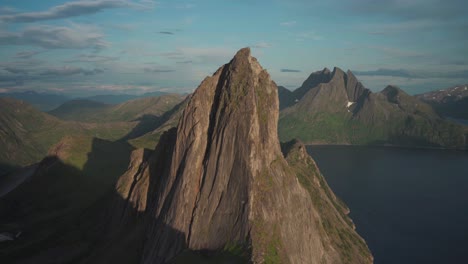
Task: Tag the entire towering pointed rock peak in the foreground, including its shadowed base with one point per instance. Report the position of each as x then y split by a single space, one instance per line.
219 183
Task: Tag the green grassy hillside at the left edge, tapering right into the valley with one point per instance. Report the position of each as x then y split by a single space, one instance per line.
27 134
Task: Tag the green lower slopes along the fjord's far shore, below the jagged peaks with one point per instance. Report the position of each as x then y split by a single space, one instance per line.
342 128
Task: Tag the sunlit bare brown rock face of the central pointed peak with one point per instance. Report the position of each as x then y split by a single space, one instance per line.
223 165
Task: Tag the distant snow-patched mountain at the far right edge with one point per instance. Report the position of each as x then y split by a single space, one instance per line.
451 102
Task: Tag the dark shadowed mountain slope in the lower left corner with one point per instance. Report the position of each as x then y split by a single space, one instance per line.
56 208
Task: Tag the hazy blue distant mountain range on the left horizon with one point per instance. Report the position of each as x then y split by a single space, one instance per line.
49 101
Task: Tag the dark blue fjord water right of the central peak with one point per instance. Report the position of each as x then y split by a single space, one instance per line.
410 205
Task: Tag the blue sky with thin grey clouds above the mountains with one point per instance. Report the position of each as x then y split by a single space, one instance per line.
90 47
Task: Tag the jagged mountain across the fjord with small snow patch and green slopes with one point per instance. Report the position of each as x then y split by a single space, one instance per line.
342 111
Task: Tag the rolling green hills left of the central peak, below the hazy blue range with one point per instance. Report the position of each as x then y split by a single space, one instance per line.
27 134
